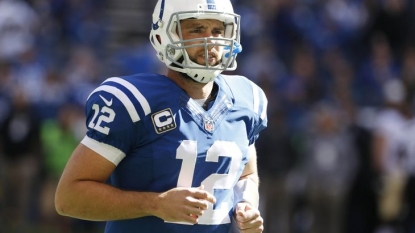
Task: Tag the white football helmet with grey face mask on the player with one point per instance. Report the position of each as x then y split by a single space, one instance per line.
166 36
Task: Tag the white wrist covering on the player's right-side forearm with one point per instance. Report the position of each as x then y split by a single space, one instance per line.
246 190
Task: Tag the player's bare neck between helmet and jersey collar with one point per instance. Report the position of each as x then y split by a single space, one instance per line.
194 89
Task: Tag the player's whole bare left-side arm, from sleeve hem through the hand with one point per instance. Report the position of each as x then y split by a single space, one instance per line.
82 193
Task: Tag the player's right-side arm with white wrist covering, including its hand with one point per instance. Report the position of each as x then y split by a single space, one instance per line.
247 216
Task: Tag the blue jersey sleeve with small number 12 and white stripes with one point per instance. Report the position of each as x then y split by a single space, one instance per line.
113 116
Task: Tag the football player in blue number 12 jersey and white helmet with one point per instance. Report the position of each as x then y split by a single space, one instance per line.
175 152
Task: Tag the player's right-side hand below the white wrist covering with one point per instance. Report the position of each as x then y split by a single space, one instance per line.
248 219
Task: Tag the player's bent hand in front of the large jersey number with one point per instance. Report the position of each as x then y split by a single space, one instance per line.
183 204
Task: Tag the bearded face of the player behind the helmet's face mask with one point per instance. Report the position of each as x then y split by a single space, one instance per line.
201 28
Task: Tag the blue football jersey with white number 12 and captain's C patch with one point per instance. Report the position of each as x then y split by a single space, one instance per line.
159 138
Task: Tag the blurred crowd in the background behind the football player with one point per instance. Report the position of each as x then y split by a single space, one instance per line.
338 155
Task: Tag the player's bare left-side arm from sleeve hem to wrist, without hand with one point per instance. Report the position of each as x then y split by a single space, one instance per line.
83 193
